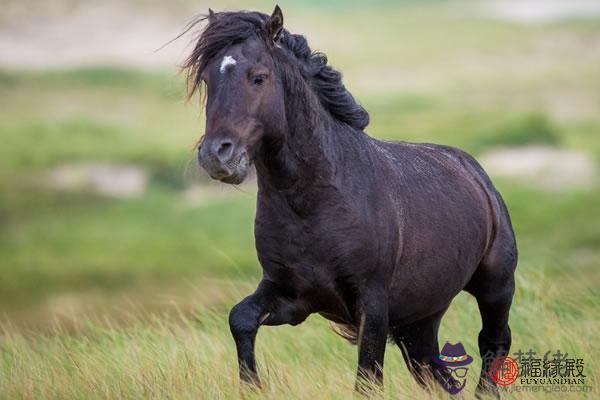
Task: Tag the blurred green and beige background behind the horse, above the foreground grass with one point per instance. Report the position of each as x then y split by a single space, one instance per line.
103 209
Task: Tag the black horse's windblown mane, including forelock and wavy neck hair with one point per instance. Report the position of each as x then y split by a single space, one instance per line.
227 28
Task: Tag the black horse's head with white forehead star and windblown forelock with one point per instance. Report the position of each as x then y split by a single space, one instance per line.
244 96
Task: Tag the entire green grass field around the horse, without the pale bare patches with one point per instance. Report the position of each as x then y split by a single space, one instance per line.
127 297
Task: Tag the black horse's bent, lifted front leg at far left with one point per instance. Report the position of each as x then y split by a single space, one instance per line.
266 306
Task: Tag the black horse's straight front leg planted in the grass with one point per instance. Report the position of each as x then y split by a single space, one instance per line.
372 340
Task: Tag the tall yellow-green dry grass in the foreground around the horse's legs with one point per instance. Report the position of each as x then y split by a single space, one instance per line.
194 357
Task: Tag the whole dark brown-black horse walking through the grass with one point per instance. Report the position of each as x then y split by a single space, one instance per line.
376 236
